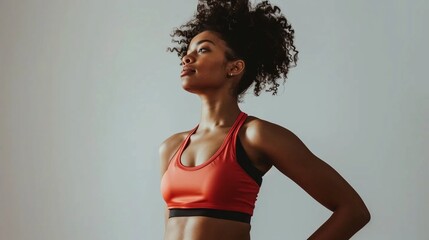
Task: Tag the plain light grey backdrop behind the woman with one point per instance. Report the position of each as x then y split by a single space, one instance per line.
88 92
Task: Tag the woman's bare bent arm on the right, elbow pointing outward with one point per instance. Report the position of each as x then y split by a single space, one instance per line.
287 152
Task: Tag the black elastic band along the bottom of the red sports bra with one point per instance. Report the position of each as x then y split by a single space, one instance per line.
214 213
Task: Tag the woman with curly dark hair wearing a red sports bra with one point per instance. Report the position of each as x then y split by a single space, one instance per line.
211 175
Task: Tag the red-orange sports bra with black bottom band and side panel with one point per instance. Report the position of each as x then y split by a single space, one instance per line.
225 186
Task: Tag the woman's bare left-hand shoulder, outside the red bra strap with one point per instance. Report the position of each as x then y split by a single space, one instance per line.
169 147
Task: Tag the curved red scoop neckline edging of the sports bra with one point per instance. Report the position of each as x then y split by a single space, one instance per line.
218 151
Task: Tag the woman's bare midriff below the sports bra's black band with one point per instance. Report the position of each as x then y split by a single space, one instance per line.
205 228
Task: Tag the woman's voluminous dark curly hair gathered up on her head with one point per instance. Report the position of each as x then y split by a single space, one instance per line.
260 36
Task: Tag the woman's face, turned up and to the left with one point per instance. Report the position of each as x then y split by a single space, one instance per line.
205 67
